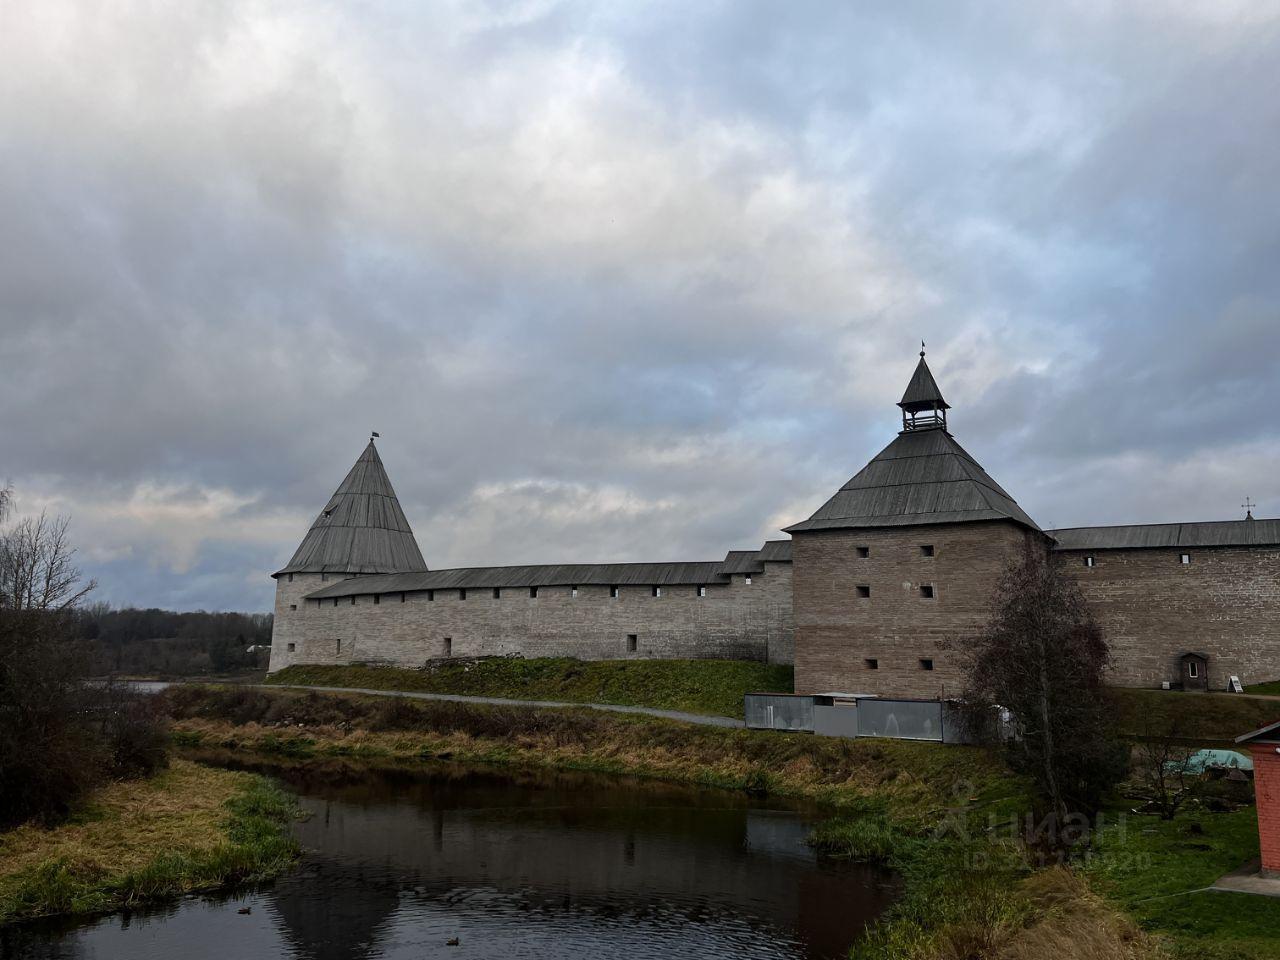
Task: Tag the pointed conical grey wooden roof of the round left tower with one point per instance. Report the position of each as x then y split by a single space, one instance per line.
362 531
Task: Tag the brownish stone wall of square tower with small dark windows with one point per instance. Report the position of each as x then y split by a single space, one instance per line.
838 632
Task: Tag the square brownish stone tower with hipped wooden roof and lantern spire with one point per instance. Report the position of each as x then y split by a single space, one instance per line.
902 560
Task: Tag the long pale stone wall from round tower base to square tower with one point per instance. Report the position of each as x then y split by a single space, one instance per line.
734 621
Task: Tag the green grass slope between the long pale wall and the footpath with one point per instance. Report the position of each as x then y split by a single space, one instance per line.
696 687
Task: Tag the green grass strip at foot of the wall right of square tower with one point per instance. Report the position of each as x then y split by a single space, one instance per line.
1218 717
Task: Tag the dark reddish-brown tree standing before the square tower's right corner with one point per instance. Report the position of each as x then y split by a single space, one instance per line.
1043 657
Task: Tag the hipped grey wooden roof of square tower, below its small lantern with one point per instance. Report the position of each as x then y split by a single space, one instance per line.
924 477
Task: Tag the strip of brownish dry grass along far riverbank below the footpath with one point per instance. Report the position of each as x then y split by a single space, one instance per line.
913 783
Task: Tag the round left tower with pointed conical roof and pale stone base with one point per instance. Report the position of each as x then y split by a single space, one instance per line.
360 532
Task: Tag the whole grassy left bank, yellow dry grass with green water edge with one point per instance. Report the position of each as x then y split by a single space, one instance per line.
188 829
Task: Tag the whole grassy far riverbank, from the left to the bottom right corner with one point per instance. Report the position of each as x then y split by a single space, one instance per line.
940 816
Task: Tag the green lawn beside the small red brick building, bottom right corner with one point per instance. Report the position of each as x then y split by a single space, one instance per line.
1141 858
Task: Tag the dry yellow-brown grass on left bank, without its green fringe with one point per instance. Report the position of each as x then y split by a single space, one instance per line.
127 824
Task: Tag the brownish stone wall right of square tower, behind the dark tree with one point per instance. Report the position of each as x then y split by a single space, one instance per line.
1154 609
